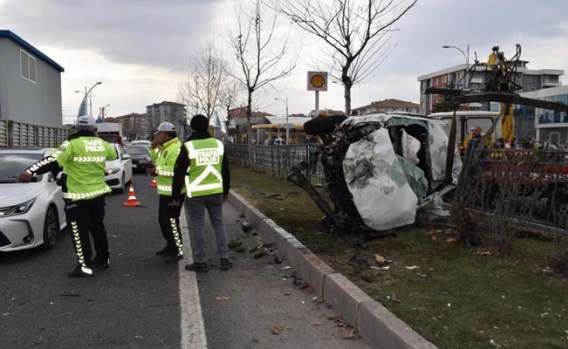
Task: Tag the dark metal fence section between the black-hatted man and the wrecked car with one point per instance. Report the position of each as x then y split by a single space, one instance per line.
277 160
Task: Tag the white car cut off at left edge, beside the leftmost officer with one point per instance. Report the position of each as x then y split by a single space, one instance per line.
31 214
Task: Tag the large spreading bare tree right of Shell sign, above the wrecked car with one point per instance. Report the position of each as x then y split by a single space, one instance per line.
357 33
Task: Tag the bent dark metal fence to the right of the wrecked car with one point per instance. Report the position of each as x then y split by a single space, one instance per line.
514 189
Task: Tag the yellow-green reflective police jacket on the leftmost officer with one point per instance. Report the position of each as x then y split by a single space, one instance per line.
83 160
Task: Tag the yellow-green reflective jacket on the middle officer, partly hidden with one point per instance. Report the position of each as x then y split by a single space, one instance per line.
165 162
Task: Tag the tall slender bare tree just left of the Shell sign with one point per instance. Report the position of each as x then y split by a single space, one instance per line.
260 61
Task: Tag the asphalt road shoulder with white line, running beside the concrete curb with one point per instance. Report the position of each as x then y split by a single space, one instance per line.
256 304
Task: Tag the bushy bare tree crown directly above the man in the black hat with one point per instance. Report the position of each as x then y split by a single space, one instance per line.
201 91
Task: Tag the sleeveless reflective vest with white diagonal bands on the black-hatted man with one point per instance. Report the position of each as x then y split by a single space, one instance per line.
205 159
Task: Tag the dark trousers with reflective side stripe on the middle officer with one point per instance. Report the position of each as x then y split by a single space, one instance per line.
168 218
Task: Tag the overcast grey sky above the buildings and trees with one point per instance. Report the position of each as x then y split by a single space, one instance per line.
140 49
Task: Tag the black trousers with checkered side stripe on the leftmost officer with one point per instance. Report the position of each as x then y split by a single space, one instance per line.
84 217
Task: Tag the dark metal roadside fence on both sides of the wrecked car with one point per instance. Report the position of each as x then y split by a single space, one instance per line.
520 186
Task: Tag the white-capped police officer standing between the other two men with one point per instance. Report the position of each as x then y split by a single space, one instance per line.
165 151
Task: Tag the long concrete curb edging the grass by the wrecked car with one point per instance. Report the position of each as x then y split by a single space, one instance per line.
377 325
